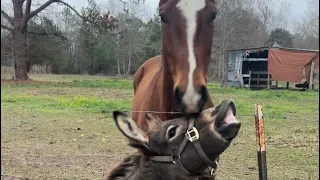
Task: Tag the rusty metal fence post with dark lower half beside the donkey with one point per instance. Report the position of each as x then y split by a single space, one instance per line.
262 160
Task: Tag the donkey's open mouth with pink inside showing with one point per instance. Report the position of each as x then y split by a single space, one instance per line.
226 123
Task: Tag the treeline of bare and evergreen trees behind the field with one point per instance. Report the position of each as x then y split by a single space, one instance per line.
118 43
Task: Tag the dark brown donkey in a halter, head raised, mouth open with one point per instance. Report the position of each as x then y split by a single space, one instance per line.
174 150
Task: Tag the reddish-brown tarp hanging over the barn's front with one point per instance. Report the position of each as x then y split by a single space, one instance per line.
287 65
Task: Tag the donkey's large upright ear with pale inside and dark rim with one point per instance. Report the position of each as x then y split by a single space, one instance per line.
128 128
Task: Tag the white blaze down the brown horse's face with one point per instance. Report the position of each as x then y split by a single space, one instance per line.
189 9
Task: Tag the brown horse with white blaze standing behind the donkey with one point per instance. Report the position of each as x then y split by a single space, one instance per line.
176 81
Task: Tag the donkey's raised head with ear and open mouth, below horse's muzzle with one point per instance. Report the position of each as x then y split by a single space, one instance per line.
216 128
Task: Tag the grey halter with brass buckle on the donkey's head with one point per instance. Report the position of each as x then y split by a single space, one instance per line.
192 135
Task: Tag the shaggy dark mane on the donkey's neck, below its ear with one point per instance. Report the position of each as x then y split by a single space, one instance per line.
128 165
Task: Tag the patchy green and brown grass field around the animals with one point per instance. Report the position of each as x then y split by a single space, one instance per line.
65 131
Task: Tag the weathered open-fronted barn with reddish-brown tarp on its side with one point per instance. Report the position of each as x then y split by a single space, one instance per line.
260 67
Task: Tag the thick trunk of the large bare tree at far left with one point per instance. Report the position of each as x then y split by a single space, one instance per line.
19 40
